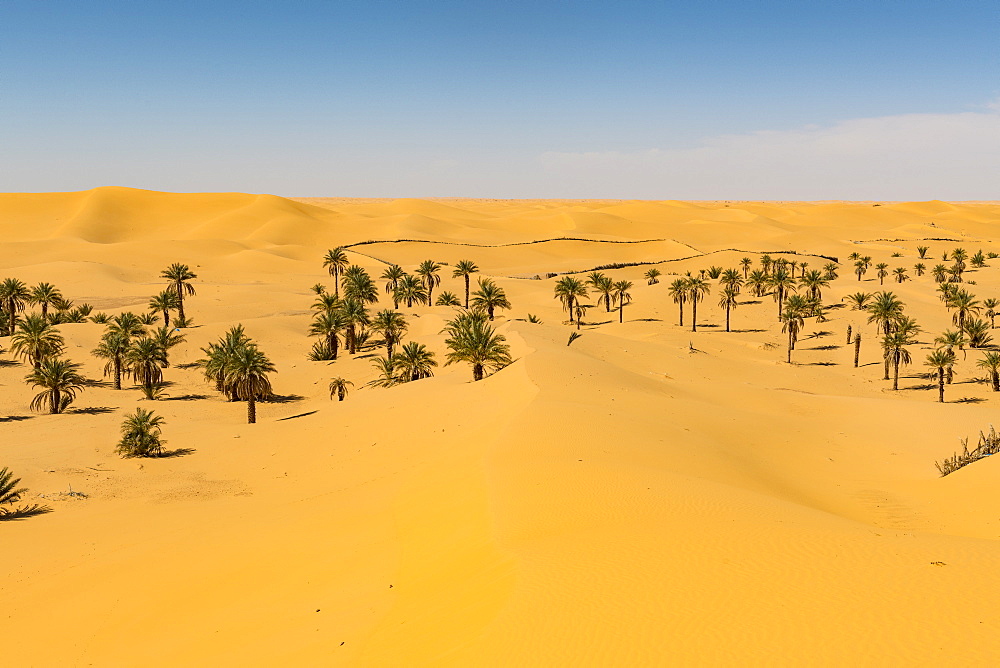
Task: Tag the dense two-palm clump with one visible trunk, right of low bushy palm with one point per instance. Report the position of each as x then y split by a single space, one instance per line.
239 369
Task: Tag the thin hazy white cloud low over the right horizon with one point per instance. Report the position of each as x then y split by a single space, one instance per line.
905 157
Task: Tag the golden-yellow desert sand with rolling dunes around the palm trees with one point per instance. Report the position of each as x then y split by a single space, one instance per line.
621 501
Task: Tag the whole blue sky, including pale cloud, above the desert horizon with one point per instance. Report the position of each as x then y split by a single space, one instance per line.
648 100
